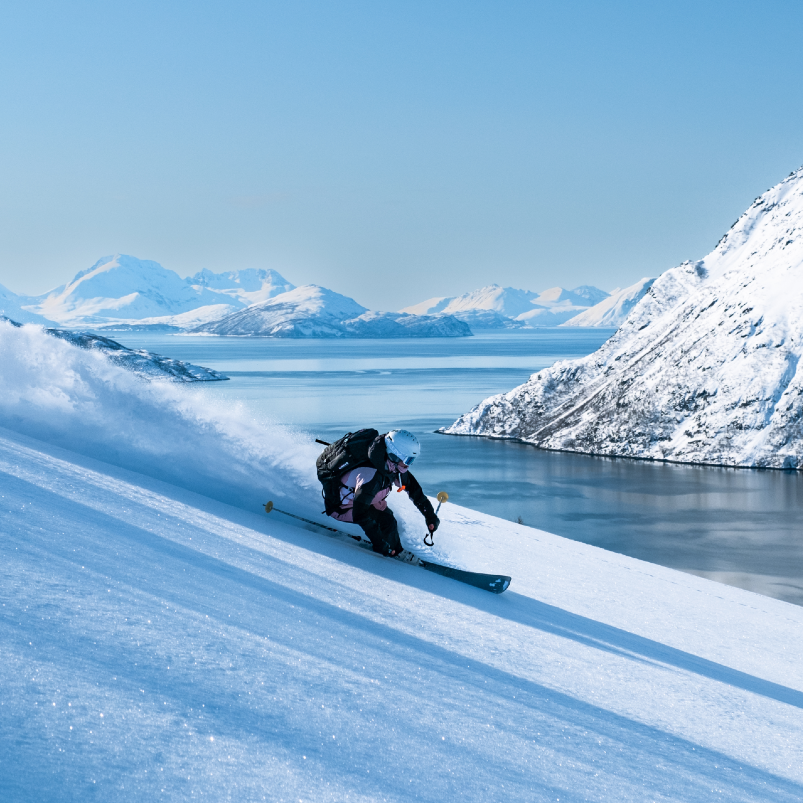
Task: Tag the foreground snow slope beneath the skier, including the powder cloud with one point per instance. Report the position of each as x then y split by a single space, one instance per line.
159 644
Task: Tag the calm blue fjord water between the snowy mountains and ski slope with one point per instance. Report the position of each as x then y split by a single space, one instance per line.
738 526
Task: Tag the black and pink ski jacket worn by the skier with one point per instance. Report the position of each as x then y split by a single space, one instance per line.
367 486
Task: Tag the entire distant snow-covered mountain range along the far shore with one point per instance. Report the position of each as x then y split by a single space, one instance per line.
124 293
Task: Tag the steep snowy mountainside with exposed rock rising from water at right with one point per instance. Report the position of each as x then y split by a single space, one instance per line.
705 369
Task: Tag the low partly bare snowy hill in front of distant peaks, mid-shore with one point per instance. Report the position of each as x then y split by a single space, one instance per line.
313 311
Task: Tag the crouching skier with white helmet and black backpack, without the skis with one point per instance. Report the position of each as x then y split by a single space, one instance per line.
358 472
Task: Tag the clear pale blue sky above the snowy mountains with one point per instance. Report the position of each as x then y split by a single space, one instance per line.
393 151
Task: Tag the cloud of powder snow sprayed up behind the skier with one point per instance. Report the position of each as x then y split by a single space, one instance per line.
79 400
